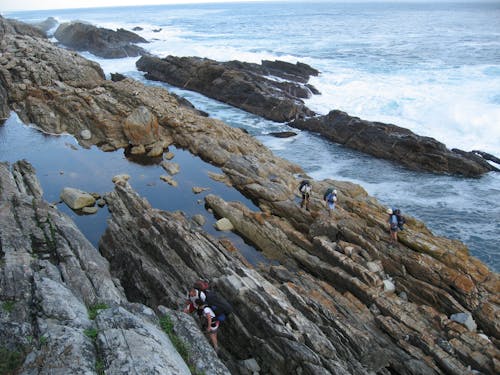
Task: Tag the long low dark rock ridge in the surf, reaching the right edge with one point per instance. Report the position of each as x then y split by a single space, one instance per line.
394 143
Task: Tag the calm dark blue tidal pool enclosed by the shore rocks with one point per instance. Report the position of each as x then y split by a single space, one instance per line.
60 162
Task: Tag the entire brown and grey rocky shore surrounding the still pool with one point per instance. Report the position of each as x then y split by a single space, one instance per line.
341 301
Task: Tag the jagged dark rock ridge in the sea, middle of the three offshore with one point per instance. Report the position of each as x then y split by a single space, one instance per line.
244 85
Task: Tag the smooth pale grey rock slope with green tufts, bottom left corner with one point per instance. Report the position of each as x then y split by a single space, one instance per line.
61 311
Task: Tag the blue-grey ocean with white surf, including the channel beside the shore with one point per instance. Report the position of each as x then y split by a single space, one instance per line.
431 67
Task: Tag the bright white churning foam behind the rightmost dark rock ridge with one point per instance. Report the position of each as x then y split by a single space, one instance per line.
451 106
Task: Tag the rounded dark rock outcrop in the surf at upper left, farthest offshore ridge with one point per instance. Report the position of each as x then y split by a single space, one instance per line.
99 41
